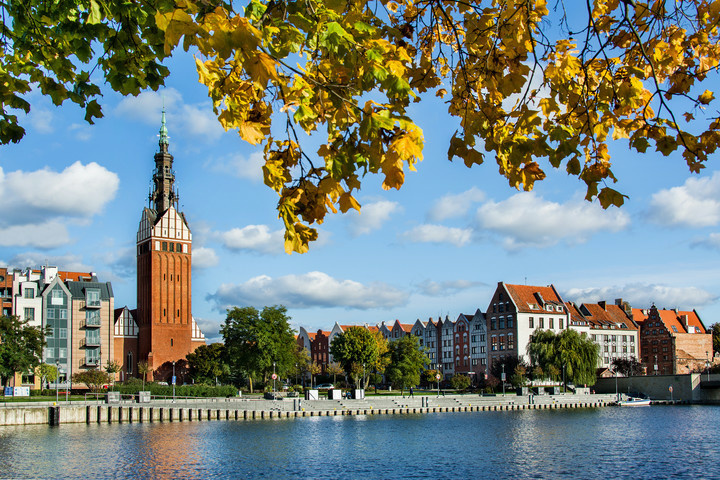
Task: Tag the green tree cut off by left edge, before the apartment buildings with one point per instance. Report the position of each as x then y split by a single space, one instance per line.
21 346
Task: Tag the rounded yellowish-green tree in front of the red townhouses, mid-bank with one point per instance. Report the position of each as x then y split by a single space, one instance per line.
355 350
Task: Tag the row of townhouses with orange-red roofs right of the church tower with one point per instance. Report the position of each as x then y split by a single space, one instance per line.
664 341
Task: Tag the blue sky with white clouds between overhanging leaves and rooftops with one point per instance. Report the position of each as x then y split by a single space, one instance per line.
73 194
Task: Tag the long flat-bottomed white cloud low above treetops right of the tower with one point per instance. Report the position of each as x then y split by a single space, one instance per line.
314 289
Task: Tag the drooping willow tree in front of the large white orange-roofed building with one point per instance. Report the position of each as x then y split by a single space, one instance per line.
569 350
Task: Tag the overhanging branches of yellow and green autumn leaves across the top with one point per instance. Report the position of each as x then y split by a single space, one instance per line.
524 86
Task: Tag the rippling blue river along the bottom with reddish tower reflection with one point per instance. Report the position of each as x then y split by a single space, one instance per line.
632 443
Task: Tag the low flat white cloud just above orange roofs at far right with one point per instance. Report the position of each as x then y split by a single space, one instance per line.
643 295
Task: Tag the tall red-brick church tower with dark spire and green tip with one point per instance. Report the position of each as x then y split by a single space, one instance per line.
164 283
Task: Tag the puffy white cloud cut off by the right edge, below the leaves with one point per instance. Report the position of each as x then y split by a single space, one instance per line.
694 204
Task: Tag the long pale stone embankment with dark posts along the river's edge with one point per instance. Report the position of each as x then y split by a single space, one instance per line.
183 410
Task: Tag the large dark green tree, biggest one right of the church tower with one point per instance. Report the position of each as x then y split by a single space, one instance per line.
257 342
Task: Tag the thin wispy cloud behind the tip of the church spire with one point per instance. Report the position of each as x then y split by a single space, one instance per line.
198 120
